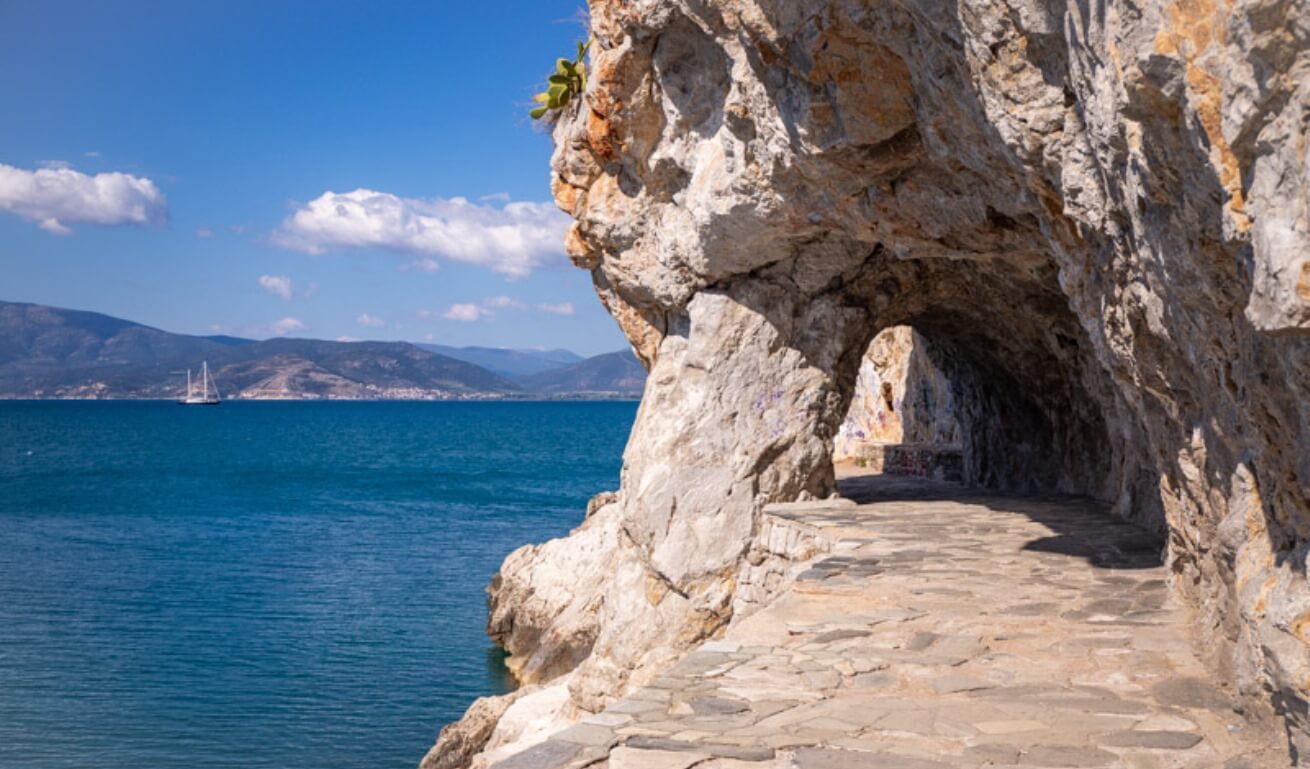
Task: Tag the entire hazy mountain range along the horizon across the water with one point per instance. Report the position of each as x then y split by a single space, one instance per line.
54 353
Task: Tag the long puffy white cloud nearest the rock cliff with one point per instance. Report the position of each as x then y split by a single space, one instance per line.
514 239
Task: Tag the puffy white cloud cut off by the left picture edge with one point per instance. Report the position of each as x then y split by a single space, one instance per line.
58 197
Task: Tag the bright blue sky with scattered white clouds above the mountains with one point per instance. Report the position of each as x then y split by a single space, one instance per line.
307 168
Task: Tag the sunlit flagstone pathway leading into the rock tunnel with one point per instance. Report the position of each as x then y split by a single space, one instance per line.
943 631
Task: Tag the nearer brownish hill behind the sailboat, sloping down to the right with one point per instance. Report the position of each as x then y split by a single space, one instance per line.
49 352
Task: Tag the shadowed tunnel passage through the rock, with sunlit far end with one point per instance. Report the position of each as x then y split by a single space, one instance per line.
991 387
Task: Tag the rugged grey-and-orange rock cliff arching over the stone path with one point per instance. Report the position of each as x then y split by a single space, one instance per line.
1095 213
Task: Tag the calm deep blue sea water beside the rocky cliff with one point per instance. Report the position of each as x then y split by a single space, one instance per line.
268 585
